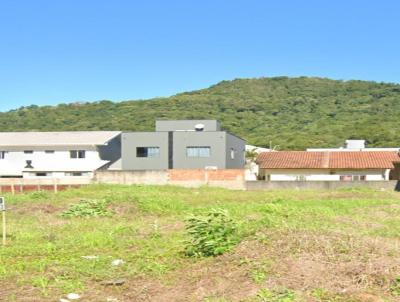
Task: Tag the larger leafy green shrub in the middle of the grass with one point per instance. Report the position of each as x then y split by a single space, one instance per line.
211 234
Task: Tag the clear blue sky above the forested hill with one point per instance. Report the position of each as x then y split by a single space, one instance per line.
84 50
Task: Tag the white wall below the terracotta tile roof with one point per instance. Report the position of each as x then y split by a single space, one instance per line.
323 174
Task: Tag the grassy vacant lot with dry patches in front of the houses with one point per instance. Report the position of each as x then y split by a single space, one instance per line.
294 246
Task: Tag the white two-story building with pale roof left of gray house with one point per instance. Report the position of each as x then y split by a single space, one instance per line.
57 154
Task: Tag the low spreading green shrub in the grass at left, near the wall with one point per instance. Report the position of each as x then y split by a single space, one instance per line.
87 208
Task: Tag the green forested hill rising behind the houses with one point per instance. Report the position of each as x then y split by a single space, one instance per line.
293 113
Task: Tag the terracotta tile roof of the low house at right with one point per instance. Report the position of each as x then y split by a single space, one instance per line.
327 160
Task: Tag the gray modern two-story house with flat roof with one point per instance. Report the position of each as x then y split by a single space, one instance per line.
181 144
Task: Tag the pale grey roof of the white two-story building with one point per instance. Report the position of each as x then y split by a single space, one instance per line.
65 138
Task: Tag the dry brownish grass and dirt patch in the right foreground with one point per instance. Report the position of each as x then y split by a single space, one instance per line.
340 264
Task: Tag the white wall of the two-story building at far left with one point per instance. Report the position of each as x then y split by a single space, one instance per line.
57 163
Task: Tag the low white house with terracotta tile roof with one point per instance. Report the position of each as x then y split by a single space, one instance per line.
329 165
